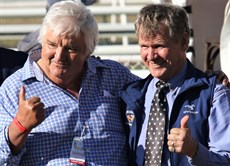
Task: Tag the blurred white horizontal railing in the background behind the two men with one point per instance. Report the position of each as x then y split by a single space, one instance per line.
114 25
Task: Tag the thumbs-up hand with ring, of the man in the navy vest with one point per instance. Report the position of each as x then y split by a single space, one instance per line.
180 139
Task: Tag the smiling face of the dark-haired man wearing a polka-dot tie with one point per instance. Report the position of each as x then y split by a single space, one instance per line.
162 56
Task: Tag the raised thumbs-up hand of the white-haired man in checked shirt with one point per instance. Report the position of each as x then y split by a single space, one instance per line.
31 112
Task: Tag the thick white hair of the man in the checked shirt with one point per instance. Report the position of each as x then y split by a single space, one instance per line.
70 18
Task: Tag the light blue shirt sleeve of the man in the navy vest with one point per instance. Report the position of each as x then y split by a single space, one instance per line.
218 152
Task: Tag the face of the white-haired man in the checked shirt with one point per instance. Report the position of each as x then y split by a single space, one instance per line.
63 58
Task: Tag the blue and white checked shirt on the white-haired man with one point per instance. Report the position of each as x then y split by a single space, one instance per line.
97 108
